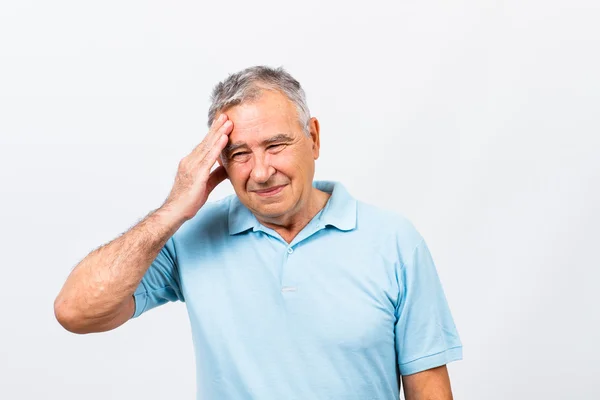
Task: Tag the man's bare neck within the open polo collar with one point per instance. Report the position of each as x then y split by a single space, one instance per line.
289 226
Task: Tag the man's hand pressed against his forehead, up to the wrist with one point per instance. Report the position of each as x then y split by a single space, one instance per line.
194 180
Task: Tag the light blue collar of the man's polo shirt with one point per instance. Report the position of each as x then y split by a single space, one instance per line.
340 210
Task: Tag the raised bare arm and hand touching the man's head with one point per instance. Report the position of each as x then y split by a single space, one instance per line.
98 294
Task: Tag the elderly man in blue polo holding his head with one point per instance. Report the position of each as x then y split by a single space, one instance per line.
295 290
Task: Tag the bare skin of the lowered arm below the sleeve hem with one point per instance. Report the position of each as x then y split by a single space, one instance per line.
431 384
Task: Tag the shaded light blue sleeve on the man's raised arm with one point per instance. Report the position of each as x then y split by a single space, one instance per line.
160 283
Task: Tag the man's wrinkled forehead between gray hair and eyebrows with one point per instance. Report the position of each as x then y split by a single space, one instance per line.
270 114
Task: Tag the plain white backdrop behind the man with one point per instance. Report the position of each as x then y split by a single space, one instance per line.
478 120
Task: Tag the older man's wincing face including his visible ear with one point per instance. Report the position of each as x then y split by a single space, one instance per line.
269 159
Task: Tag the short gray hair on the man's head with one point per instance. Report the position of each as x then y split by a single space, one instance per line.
248 84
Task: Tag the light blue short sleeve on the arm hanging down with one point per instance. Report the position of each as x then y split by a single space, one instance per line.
426 336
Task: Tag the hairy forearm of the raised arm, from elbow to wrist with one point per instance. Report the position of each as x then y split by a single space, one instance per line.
104 280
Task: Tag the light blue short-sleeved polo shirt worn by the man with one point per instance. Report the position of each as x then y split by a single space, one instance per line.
335 314
